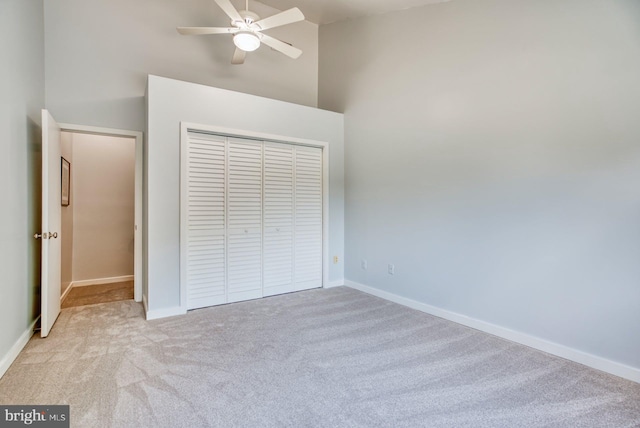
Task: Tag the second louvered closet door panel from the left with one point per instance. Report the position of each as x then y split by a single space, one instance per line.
244 219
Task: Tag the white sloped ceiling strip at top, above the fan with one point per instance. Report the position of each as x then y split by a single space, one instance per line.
327 11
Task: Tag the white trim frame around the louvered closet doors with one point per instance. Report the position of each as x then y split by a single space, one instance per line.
186 128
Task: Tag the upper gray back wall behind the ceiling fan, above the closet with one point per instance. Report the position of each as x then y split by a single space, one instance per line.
99 53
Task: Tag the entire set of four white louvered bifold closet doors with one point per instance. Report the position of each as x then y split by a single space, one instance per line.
251 219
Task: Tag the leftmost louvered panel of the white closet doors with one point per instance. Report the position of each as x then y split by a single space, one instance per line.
205 219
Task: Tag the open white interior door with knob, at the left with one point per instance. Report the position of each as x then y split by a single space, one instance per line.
51 220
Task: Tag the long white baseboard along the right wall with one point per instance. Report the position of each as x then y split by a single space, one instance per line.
593 361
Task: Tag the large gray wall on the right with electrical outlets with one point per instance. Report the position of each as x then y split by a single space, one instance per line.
492 153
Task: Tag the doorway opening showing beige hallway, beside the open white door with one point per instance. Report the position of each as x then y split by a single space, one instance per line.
101 223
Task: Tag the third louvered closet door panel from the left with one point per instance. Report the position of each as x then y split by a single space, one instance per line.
278 218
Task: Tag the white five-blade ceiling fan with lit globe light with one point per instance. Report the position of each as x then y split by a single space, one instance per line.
247 28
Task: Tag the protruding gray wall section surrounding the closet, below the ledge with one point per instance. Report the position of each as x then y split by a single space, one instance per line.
172 102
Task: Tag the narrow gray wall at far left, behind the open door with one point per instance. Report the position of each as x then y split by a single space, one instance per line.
21 98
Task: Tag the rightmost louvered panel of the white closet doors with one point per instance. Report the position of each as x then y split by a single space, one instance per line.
308 218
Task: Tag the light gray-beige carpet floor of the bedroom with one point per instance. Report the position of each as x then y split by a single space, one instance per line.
320 358
